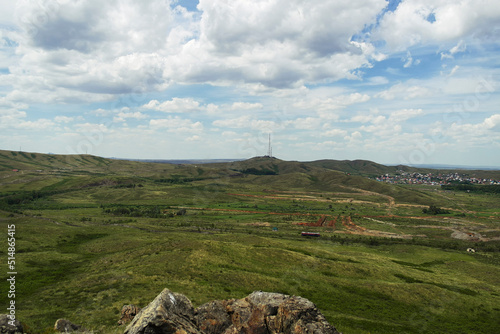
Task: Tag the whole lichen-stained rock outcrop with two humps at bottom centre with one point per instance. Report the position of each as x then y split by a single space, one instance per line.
258 313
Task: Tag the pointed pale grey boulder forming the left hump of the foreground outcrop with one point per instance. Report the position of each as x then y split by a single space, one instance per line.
168 313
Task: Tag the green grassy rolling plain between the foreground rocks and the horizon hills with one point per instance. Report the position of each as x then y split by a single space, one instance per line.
94 234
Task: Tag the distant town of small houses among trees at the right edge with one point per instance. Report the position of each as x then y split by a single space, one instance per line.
434 179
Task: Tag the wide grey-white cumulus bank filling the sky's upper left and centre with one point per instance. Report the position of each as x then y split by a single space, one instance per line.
92 50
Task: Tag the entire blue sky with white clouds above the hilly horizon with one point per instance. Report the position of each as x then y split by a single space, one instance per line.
395 82
